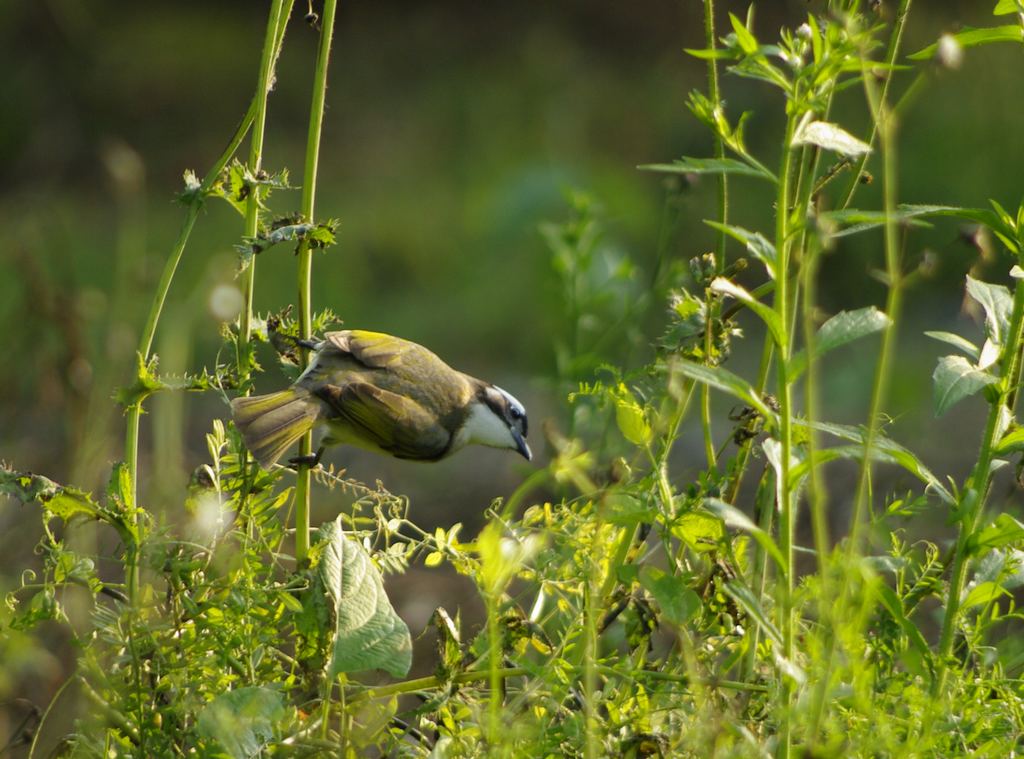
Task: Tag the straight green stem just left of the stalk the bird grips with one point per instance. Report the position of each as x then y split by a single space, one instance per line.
264 85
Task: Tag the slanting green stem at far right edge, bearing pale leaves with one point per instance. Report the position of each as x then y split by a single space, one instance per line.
972 503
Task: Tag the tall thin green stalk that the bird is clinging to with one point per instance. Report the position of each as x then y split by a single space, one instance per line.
306 262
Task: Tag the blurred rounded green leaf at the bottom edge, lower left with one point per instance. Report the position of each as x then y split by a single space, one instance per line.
243 722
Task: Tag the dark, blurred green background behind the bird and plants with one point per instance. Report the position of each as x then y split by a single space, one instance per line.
453 131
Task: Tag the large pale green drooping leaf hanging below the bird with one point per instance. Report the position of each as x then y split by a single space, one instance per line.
368 635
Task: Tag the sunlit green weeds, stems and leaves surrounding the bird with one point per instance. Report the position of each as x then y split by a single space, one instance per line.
637 605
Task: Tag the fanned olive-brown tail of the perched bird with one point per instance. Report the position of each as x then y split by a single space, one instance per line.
270 425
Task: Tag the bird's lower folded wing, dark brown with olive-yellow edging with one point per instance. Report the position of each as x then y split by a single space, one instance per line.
397 425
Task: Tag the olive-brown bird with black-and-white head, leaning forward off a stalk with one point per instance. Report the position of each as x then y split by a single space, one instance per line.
382 394
